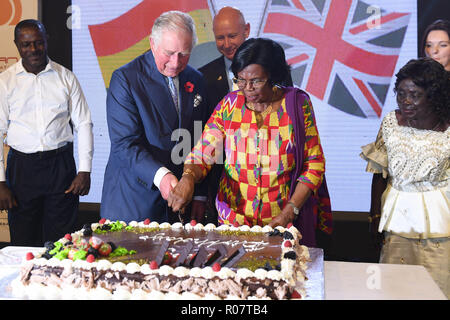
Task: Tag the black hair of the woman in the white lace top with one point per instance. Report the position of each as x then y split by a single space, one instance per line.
432 77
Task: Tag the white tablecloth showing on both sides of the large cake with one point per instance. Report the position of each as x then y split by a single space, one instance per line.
342 280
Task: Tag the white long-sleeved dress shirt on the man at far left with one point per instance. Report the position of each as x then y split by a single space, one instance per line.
36 112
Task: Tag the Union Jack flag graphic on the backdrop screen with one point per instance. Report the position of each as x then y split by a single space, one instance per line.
336 52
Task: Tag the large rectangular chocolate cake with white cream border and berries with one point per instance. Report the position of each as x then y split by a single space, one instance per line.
113 260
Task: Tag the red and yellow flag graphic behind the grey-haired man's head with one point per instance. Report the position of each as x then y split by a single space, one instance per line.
118 41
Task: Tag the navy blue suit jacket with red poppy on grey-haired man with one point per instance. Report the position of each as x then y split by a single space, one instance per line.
141 119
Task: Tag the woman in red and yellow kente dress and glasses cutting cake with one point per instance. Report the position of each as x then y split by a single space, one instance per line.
274 165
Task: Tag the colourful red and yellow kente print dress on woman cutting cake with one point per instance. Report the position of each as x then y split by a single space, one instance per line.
255 184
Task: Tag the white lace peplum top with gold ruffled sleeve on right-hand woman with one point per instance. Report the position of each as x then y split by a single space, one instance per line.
416 202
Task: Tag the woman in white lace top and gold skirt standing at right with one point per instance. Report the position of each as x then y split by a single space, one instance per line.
410 165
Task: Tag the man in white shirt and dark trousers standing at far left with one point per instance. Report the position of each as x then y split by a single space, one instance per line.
41 103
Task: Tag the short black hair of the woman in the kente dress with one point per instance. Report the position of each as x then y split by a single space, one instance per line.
265 52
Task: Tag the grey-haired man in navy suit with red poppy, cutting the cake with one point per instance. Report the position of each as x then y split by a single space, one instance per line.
152 105
